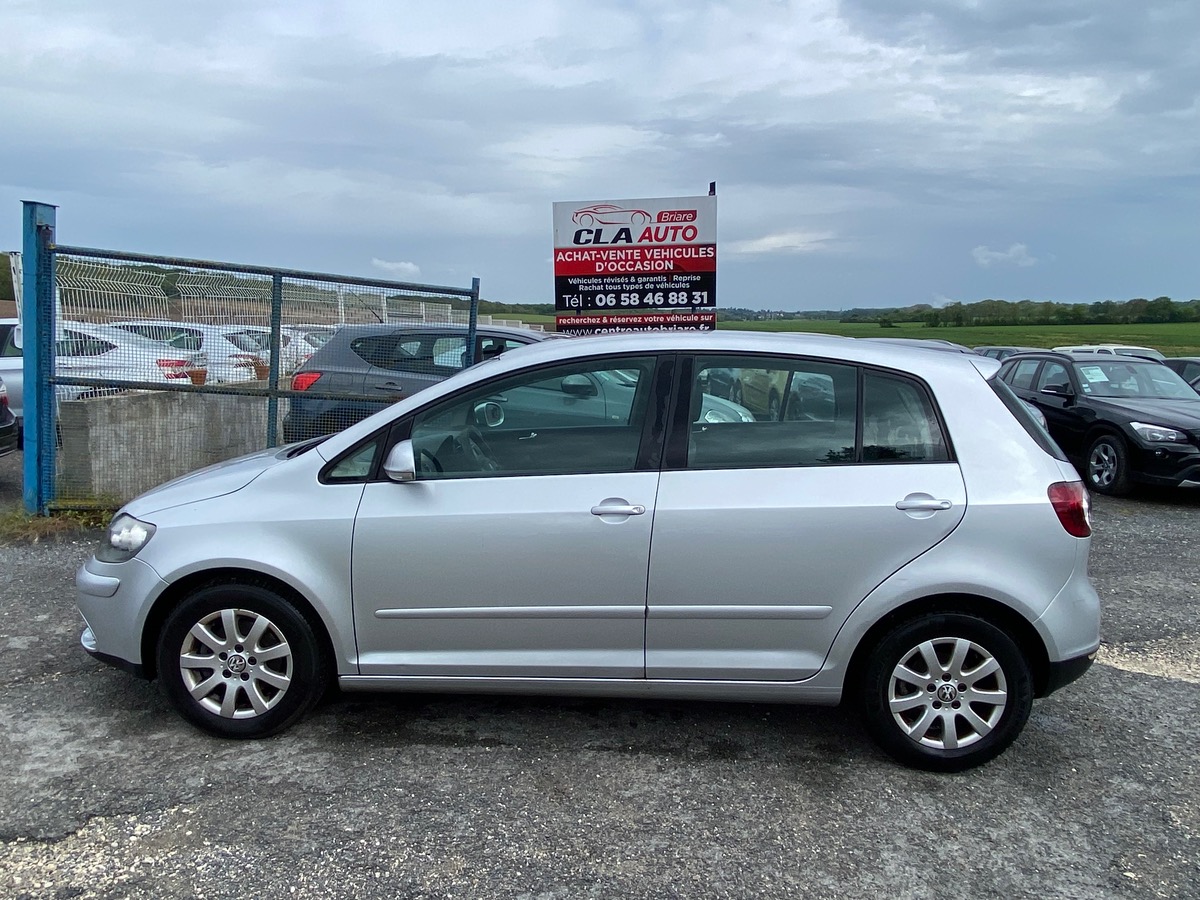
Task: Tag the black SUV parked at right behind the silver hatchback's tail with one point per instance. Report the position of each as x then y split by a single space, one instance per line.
1121 419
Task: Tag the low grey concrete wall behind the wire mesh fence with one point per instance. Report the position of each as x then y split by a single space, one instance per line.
118 447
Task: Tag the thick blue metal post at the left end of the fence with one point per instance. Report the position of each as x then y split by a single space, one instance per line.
38 349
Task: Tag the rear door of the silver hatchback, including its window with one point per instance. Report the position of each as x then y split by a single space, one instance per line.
767 535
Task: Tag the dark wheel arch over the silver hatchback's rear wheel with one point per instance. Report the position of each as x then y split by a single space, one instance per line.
1004 617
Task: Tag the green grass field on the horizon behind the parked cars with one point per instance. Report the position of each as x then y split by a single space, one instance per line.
1180 339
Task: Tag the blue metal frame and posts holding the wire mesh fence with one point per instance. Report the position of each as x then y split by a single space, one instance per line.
39 315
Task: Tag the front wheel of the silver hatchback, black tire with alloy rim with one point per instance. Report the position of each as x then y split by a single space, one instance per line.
248 691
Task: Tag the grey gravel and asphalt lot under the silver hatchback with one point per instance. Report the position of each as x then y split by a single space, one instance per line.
105 793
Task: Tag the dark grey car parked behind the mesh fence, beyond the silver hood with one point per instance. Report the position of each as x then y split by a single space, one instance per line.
363 369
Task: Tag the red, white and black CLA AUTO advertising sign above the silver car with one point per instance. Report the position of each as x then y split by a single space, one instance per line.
634 257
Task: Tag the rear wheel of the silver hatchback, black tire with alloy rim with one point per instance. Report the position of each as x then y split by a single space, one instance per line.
946 693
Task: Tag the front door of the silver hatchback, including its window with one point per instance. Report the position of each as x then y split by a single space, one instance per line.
507 563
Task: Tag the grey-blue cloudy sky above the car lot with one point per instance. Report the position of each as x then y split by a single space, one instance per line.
868 153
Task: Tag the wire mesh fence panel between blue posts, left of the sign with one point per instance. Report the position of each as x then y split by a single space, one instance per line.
165 367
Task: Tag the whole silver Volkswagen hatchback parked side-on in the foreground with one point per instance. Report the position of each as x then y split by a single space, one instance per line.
899 535
